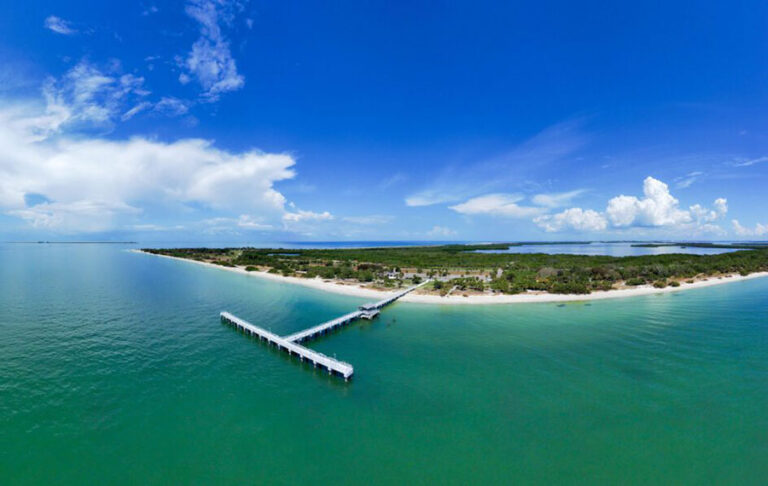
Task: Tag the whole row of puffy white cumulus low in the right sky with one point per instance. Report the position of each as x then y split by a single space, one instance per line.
657 209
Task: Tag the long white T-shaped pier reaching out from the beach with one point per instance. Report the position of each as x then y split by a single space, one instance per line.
290 344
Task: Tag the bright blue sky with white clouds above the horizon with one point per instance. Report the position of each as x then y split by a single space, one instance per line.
222 120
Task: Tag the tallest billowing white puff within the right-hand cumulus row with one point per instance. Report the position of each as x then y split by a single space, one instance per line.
658 208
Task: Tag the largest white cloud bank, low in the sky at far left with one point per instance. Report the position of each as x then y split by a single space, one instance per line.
74 183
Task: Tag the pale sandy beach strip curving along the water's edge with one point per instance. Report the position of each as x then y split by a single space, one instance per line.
358 291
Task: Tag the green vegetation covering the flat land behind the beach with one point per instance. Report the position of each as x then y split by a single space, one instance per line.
463 268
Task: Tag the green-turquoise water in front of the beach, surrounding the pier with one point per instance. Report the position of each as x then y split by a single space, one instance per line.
115 369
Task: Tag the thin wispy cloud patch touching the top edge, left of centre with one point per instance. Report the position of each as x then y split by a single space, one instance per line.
210 60
